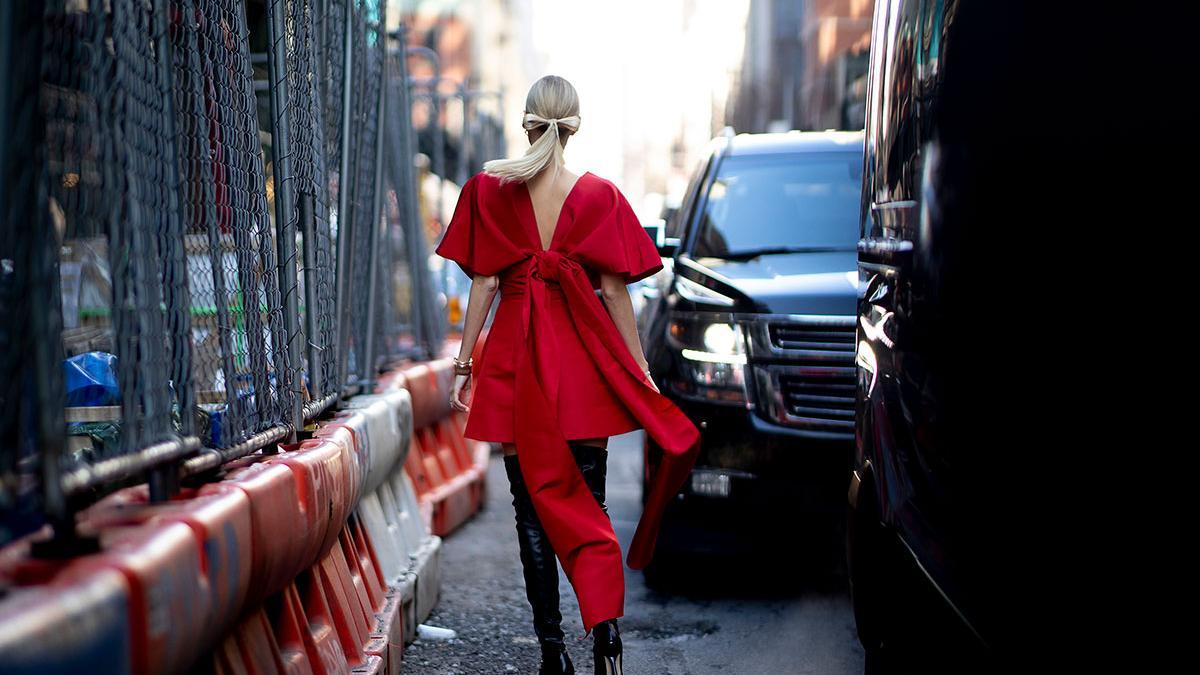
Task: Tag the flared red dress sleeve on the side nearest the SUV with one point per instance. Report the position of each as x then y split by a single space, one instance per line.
617 243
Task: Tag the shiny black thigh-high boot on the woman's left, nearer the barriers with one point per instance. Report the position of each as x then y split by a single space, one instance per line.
541 569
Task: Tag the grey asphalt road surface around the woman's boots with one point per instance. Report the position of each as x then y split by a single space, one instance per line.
725 618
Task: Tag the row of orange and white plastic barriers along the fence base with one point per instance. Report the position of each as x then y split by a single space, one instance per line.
319 559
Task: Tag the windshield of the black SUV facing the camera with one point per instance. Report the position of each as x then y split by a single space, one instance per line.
782 204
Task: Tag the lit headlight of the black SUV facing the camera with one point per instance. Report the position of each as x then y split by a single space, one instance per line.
713 356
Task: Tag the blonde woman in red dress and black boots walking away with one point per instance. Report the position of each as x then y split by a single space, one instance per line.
562 369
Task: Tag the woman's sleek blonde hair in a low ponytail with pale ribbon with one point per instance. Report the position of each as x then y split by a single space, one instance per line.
555 104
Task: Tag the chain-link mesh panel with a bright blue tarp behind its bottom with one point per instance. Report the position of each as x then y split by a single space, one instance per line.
112 181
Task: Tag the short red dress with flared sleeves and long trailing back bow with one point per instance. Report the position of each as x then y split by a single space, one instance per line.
555 367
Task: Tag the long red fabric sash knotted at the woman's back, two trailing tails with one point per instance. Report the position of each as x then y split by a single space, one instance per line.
580 531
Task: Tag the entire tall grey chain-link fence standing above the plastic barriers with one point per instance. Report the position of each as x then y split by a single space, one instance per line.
209 236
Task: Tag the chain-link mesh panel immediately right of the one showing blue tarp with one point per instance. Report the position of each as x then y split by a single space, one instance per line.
235 279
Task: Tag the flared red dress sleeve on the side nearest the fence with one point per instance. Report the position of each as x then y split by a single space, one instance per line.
475 238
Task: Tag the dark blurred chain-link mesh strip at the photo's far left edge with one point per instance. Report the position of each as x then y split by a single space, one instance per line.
28 243
